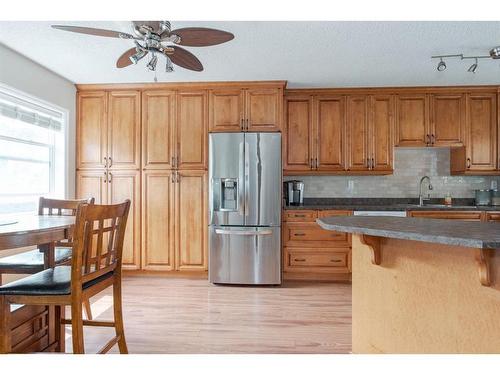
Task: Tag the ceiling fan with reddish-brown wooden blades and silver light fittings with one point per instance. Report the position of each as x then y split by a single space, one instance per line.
157 38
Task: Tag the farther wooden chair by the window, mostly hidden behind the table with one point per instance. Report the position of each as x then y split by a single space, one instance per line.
34 261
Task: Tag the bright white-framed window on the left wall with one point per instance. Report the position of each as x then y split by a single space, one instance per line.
32 152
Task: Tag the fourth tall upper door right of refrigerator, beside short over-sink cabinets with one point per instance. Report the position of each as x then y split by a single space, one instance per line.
381 132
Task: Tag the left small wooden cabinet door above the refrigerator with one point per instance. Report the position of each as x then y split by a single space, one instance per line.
226 110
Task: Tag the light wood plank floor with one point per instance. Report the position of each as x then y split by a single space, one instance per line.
166 315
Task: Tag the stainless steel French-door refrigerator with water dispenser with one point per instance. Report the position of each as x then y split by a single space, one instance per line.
245 208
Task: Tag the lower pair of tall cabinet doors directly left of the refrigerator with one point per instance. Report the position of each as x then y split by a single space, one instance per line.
174 212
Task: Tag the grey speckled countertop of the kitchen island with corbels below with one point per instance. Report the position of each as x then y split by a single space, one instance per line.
448 232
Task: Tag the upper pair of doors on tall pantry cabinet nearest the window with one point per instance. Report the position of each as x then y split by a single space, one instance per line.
108 131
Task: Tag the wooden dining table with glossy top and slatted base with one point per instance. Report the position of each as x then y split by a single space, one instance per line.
36 328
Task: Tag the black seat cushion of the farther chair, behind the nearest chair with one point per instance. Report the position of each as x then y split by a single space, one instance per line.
32 261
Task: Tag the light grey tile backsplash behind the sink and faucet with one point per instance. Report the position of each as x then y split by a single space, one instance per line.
410 164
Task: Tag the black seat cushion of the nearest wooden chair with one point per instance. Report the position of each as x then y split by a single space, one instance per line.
51 282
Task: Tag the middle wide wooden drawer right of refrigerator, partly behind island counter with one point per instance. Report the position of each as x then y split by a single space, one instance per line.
311 234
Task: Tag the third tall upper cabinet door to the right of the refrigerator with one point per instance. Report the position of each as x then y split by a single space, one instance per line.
357 133
